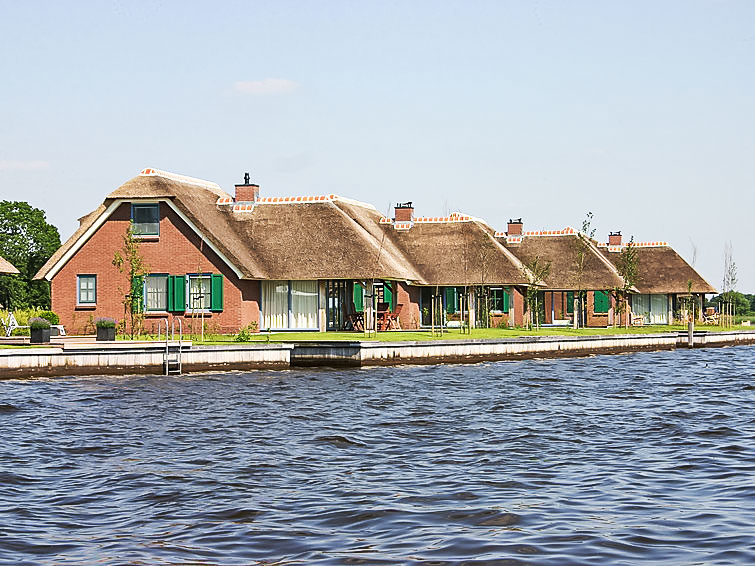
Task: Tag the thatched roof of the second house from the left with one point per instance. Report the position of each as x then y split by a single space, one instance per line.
457 253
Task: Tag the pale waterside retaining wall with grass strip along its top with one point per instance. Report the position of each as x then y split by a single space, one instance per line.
77 356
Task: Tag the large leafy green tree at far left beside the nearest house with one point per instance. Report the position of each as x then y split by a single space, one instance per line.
27 240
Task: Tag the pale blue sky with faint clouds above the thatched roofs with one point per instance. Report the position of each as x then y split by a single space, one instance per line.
641 112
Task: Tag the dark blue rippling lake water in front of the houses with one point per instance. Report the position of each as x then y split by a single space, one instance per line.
644 458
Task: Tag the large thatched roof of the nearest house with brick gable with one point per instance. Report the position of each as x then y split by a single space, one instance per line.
332 238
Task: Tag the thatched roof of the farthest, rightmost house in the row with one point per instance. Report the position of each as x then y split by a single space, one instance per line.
663 271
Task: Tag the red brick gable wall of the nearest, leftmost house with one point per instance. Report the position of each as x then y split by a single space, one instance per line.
177 251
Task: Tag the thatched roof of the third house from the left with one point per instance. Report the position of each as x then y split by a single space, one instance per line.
561 251
